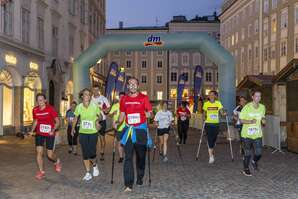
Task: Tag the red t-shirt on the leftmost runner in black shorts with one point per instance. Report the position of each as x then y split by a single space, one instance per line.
45 120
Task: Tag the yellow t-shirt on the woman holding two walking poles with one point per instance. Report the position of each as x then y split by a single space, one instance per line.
212 111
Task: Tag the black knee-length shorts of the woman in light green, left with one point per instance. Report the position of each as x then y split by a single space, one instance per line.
88 145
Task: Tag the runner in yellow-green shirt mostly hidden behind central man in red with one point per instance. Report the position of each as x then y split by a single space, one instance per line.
115 113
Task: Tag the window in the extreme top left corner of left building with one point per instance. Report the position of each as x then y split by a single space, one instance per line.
7 17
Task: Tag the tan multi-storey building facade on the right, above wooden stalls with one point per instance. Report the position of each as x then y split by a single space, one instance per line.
262 35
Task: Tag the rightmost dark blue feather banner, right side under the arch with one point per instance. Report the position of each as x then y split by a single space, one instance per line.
198 77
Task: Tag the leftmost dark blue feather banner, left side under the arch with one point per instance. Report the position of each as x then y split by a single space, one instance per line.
111 80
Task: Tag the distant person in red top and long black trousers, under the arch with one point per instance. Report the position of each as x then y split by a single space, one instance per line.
183 115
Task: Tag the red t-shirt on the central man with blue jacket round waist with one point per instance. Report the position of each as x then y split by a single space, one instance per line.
135 108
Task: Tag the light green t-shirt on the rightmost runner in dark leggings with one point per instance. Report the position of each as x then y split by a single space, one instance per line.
252 131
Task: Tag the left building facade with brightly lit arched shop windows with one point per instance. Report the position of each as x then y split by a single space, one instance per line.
39 40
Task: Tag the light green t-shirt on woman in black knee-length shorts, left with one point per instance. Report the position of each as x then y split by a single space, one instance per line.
88 117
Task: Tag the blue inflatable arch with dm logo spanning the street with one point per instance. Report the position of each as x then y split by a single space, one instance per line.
161 41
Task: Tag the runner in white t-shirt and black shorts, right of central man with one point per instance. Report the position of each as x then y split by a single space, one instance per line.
163 120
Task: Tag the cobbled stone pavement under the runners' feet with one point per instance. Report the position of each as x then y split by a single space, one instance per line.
277 178
